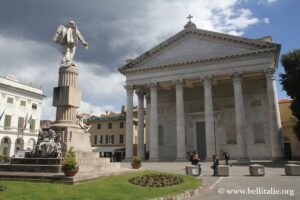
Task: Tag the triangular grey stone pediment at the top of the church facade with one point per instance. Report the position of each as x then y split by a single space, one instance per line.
195 45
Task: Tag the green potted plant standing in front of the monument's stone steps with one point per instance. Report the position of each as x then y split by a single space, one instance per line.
70 166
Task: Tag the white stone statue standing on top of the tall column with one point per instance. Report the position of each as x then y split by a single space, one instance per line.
68 37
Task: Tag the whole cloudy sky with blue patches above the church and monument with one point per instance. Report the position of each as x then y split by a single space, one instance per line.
117 30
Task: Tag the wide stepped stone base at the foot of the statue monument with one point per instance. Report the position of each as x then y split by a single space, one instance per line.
91 167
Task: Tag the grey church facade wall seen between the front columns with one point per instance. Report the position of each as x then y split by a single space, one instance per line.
255 102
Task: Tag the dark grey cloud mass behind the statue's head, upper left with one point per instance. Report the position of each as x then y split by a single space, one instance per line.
97 20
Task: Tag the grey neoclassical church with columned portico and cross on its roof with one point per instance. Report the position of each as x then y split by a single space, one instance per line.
205 91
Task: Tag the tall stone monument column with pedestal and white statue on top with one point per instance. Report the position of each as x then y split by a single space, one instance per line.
67 95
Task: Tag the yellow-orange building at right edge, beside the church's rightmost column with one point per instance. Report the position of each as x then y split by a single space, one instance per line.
291 143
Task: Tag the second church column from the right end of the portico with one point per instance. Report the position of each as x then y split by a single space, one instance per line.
240 117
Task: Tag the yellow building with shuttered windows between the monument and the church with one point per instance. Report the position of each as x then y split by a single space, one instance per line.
108 134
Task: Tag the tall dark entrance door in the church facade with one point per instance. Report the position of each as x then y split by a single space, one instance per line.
201 140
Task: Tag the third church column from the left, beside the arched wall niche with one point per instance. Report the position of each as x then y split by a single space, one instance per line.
153 123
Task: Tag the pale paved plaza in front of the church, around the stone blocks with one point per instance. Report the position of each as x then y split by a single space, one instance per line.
239 185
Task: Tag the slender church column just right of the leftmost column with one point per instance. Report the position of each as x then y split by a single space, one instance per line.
140 146
